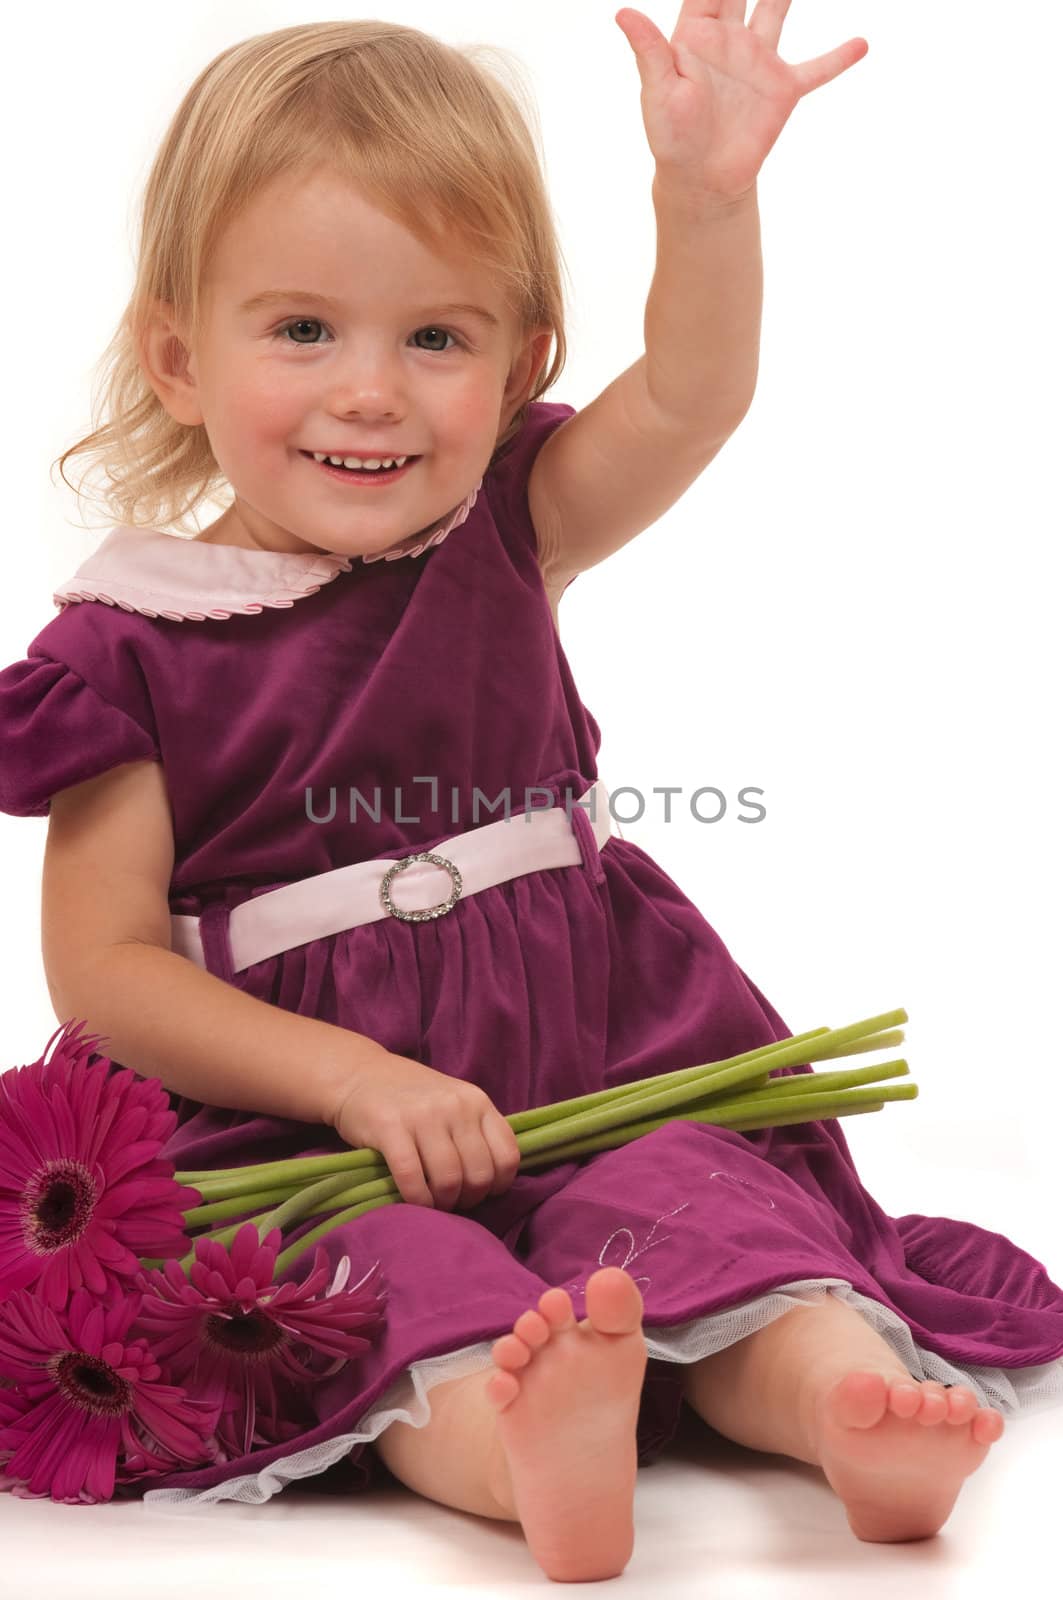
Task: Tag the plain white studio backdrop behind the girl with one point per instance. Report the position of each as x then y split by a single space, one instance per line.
854 609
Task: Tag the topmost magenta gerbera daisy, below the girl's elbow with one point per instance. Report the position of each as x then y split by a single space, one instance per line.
84 1191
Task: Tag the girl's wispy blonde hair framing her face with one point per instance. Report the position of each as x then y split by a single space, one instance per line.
427 135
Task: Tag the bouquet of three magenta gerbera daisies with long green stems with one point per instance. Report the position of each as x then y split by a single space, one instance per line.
127 1356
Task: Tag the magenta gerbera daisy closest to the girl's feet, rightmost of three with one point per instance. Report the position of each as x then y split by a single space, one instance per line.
246 1343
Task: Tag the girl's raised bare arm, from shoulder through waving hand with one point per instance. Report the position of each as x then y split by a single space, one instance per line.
715 100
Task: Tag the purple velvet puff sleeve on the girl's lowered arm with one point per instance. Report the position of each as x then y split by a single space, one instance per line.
57 730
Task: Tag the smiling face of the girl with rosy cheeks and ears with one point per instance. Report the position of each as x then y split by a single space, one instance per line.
361 354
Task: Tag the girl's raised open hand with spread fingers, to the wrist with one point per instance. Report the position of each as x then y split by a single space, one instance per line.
718 95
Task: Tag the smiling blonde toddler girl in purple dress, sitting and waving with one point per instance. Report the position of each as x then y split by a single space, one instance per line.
246 751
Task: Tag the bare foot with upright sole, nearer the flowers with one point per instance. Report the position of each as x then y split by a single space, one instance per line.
568 1399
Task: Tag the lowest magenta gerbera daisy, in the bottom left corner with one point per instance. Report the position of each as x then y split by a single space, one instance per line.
87 1407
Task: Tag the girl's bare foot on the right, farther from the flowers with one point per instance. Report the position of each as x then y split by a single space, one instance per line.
897 1452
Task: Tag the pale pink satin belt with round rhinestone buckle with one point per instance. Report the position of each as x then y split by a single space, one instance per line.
407 887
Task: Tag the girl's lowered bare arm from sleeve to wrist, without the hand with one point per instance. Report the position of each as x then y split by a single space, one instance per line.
108 961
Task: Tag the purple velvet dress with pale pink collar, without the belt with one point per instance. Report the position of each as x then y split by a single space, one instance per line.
265 676
